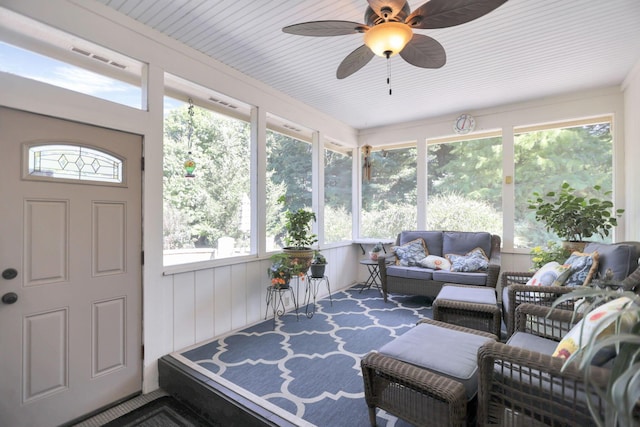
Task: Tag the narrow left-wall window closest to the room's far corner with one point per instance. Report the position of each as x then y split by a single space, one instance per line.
337 194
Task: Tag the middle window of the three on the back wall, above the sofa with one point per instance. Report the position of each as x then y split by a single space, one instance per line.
464 184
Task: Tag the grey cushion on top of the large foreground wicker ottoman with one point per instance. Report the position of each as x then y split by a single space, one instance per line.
452 354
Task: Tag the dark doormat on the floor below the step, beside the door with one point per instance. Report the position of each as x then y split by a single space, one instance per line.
165 411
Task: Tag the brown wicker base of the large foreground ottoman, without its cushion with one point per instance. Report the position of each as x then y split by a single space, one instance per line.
416 394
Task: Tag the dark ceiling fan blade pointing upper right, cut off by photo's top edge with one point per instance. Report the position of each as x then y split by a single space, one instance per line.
448 13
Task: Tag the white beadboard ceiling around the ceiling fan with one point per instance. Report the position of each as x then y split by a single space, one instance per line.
525 49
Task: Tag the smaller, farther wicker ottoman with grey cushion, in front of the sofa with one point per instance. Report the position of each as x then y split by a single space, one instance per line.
469 306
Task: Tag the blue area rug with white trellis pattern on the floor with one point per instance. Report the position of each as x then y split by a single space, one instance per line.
308 369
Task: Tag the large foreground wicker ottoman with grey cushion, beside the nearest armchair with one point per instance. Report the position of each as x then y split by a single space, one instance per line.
427 376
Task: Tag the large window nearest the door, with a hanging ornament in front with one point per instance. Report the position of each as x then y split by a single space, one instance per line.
206 216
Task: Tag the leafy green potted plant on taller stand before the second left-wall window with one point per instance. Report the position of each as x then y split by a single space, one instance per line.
299 237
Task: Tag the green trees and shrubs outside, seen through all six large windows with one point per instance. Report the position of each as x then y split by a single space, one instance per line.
464 182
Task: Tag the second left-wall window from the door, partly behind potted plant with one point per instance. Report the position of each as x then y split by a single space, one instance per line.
288 174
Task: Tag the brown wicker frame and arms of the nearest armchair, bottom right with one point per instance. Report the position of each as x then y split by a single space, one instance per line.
520 387
